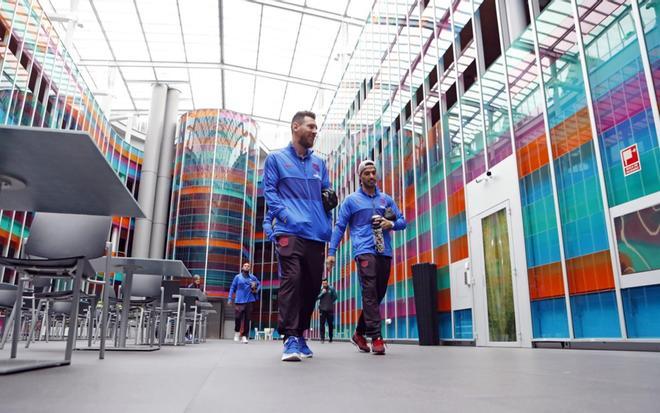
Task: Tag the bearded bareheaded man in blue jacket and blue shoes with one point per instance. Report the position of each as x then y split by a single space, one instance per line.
293 180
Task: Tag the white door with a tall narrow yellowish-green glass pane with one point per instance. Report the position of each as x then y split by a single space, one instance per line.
493 272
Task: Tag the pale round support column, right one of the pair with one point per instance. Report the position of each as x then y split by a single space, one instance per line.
164 178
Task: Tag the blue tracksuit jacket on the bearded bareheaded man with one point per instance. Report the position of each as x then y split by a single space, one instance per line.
292 188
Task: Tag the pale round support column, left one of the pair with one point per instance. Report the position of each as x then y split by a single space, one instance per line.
148 179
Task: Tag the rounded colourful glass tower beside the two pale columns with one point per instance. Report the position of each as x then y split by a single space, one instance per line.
214 194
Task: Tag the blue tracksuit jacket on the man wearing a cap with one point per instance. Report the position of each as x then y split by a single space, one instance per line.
356 211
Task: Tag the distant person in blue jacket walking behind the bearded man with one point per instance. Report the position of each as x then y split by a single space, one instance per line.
243 292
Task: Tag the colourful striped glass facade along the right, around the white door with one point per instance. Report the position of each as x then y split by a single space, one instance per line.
440 92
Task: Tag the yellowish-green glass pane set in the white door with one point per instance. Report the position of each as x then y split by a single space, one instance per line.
499 286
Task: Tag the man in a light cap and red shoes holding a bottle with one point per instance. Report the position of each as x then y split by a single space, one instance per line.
372 216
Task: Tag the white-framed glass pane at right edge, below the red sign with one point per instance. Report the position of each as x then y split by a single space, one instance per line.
638 241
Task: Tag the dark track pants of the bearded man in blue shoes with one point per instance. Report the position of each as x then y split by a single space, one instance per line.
301 269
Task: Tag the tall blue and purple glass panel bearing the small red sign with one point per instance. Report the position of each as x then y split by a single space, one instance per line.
622 108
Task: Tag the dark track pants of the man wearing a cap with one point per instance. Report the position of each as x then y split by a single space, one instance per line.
374 272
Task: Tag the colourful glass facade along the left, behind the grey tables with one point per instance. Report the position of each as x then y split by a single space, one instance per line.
41 86
